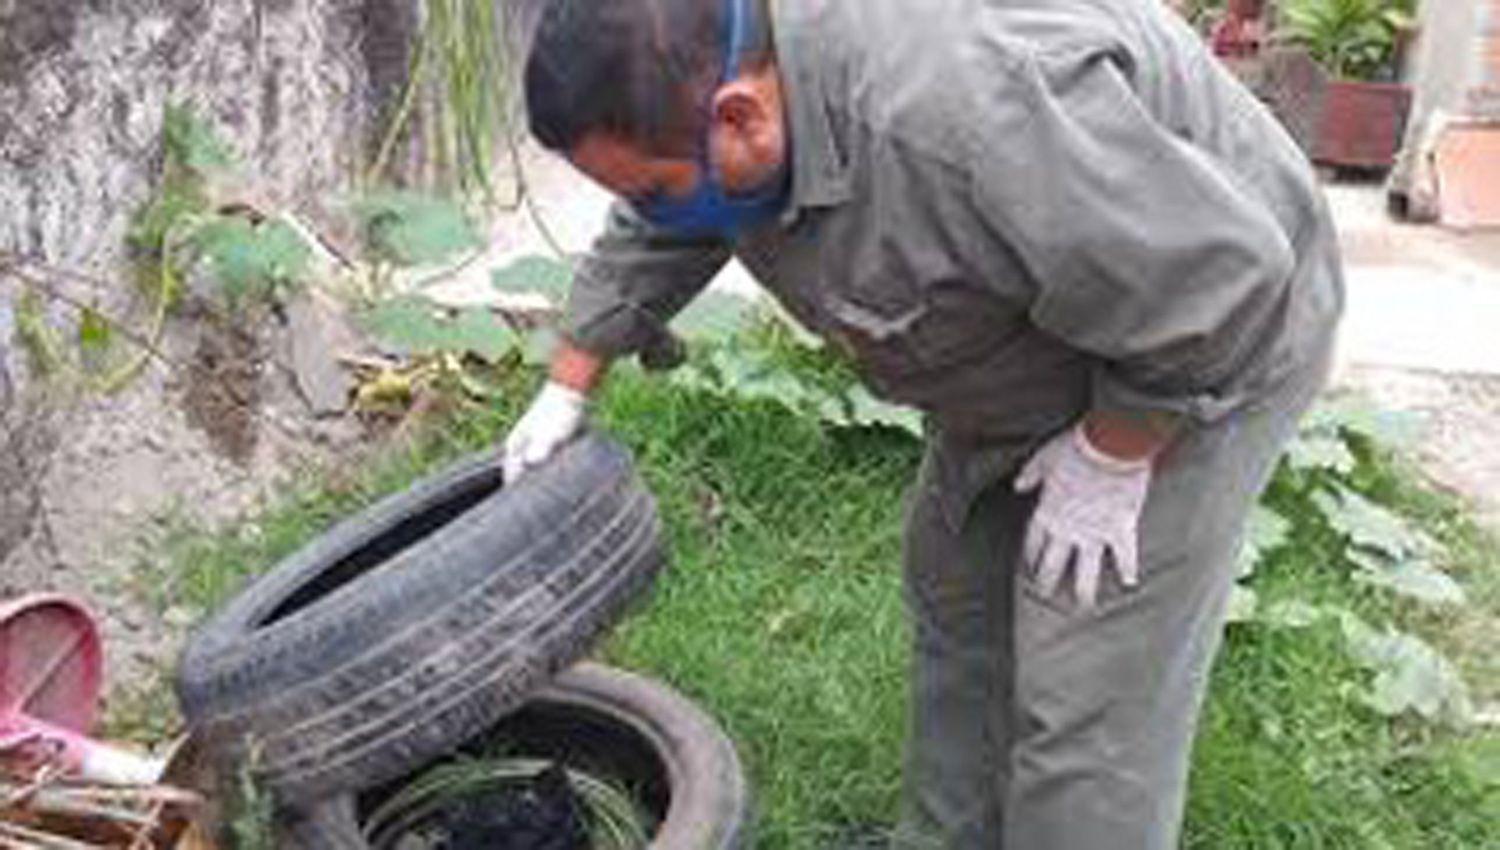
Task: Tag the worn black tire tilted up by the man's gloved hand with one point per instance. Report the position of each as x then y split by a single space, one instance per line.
418 624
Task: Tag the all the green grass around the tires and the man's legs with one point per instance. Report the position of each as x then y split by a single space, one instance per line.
782 615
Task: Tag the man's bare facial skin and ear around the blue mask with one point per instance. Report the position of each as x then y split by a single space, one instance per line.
748 143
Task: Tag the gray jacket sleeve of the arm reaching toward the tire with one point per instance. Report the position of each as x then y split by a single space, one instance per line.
632 283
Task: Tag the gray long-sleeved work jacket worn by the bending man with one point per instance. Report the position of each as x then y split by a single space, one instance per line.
1012 212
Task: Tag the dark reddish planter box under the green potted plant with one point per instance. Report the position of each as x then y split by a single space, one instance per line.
1361 125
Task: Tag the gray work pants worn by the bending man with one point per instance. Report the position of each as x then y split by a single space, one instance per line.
1037 726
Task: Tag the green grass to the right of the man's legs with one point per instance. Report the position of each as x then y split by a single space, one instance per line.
1291 758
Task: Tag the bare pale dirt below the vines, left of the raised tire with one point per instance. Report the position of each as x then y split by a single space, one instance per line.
166 447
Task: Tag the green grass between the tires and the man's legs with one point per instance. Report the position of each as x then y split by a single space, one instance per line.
784 611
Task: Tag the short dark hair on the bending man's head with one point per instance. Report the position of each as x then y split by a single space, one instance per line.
638 70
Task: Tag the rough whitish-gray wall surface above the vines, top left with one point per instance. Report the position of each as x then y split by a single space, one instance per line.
83 86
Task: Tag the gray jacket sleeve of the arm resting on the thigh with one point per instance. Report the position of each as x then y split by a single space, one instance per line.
1144 250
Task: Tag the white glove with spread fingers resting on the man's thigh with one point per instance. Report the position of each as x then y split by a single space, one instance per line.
1090 504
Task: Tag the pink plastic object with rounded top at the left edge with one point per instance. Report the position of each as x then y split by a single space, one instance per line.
52 671
